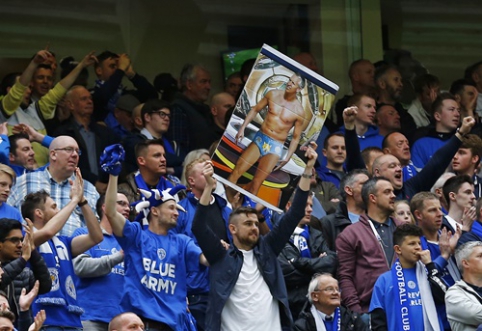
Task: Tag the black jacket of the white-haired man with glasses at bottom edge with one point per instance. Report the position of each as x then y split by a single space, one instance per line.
350 321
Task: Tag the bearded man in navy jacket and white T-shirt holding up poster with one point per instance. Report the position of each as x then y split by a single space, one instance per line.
247 284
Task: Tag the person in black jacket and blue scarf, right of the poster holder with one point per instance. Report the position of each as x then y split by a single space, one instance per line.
305 255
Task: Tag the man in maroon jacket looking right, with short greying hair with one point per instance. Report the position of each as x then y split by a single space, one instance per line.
365 249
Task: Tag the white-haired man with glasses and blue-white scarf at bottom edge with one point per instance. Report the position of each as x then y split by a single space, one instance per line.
324 310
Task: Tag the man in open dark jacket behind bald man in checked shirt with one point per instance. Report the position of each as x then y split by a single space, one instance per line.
92 138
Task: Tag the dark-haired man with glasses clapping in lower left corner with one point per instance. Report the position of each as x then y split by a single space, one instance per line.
15 252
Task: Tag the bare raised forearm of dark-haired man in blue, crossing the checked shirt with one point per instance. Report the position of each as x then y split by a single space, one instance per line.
57 222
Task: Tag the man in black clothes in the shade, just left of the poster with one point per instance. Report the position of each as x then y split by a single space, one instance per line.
190 114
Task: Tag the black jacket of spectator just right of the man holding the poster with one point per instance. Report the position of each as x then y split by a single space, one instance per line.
298 271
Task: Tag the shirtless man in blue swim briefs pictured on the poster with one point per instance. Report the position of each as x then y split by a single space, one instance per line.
284 112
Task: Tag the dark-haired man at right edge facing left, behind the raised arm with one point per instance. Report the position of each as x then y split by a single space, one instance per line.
467 159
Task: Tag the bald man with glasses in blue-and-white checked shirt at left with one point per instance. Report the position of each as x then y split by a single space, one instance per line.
55 179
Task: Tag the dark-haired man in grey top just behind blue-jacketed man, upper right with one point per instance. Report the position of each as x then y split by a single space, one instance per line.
427 88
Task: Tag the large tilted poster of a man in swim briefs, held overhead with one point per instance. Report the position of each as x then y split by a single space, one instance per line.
282 108
